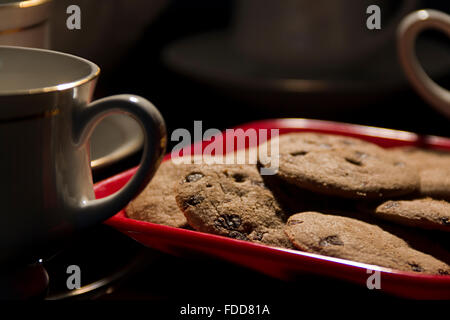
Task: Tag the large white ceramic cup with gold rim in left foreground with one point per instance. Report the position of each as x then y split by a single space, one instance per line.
46 119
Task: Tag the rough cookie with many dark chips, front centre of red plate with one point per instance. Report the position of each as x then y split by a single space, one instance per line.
232 201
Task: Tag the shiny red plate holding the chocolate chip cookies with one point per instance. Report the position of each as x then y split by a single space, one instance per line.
282 263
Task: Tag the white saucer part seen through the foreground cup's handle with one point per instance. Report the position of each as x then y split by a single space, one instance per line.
114 139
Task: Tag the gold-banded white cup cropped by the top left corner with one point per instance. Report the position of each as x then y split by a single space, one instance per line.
25 23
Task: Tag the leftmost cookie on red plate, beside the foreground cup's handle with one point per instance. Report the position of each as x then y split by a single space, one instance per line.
157 202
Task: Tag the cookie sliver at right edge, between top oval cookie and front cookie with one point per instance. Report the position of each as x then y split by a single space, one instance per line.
426 213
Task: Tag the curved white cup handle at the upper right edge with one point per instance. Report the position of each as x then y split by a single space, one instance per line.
407 33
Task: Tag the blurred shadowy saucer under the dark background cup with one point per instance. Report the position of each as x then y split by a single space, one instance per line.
211 59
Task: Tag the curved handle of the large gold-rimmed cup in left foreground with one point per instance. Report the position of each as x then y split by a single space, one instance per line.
91 212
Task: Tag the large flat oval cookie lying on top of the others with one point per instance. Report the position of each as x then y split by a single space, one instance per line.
342 166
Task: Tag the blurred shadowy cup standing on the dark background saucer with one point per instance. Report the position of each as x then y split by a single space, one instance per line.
318 34
